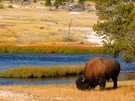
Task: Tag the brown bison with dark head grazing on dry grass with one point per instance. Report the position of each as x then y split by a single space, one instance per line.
96 72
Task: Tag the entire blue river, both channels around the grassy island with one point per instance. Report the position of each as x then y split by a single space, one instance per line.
8 61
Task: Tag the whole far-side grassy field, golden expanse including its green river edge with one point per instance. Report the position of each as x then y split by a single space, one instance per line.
35 29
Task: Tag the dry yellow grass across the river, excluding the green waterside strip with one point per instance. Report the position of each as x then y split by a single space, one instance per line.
39 26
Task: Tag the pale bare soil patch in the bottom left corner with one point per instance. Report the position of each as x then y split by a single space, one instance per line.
7 95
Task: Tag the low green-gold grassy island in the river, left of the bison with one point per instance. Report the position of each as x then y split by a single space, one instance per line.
42 72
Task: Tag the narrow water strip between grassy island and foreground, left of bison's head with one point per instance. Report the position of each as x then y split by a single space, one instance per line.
36 81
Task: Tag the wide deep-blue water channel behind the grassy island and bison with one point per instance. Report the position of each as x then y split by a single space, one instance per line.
8 61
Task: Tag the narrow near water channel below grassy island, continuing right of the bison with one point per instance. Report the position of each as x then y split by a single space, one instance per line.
45 81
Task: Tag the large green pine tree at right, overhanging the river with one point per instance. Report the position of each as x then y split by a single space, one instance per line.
116 25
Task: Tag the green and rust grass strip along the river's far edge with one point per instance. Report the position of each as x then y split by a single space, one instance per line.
52 49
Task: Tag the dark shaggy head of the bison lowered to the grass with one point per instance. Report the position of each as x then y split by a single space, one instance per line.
84 84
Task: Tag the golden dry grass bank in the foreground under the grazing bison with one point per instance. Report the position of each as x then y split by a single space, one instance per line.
68 92
